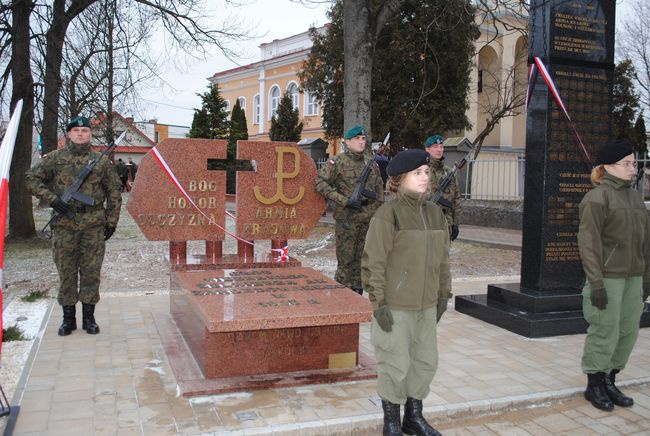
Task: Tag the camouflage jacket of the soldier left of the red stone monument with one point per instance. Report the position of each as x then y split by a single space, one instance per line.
50 178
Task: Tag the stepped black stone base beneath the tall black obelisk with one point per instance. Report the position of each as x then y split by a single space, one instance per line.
530 313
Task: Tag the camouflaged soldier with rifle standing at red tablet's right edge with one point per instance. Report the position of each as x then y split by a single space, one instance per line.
336 182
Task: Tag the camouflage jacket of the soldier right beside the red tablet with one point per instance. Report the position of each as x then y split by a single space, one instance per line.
337 179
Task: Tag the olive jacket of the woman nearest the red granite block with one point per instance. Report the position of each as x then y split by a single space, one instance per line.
405 262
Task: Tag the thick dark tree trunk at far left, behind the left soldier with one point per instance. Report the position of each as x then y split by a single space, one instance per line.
21 218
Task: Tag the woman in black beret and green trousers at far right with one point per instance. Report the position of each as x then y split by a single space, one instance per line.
614 243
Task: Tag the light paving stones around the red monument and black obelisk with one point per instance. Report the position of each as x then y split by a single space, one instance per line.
489 381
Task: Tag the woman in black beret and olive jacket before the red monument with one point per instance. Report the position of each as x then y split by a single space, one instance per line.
405 270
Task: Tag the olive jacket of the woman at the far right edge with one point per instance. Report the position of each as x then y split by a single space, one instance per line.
614 233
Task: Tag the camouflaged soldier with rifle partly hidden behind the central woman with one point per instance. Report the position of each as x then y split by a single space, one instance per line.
439 171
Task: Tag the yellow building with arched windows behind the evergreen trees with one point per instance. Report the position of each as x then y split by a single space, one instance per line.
499 71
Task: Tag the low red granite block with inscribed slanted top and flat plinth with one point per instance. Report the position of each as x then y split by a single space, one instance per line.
259 328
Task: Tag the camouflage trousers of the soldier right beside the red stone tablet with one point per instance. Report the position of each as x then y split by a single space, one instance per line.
349 248
